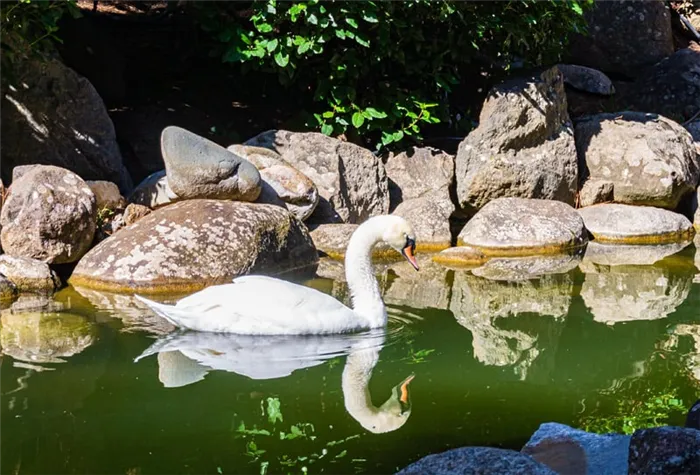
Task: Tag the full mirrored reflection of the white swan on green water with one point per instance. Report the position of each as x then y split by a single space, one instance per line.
186 357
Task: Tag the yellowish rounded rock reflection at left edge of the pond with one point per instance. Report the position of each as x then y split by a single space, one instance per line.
45 337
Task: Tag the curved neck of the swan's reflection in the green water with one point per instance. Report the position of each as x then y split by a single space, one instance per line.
356 376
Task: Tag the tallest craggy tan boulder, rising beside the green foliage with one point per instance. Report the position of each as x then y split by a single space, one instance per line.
523 146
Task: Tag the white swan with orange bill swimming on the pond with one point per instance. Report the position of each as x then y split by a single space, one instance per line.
259 305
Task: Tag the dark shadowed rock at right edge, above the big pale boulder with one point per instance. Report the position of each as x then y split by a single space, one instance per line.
669 87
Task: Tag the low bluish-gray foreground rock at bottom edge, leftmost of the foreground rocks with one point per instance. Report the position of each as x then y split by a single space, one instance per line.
476 461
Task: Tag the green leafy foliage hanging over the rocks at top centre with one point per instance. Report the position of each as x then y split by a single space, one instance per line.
384 67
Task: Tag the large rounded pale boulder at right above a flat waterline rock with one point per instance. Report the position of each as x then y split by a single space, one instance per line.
643 159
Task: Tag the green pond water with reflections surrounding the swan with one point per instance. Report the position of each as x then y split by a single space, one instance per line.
598 344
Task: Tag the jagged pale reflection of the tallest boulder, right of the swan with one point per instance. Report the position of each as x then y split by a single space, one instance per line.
483 307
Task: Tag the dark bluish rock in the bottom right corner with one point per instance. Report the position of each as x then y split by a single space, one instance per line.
665 451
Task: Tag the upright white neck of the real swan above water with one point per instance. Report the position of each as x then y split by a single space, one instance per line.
364 289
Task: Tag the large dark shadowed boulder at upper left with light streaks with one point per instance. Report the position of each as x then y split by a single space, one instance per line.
50 115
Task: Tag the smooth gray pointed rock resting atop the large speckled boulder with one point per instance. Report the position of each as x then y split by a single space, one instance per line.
198 168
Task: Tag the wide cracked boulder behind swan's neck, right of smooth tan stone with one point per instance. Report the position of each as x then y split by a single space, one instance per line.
351 180
